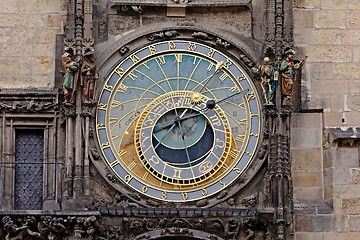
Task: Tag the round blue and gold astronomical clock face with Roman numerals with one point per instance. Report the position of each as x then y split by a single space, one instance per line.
178 121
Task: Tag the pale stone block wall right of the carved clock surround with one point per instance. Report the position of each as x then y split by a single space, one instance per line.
325 166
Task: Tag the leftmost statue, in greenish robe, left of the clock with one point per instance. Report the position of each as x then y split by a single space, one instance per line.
70 67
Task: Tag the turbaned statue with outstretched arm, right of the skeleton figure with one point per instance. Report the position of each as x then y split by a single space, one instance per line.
288 70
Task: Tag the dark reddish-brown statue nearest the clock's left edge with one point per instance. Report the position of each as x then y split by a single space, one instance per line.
89 76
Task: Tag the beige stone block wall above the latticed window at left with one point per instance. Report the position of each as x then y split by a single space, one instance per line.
27 42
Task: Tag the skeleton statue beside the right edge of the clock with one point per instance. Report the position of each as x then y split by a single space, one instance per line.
268 81
